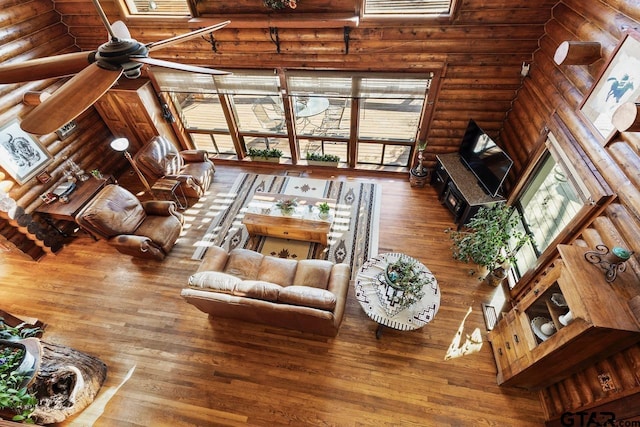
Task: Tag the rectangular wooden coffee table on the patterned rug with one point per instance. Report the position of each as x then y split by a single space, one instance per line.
263 218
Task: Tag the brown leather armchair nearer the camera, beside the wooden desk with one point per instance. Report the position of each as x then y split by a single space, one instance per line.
141 229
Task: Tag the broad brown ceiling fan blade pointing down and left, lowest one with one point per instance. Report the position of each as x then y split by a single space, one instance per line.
70 100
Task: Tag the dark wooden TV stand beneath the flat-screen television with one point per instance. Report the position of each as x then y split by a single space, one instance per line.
458 188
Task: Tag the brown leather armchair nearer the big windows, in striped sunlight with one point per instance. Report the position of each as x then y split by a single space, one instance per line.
159 158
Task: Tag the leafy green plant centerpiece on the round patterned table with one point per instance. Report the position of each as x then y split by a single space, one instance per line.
408 279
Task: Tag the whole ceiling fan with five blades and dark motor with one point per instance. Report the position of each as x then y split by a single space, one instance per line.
95 73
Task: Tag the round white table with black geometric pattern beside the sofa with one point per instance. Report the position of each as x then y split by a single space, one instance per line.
373 293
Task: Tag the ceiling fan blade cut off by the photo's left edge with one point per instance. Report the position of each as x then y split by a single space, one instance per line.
45 68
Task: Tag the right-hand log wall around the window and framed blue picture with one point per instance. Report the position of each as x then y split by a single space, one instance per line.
560 89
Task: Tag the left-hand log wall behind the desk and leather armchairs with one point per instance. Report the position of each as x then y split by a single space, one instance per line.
30 29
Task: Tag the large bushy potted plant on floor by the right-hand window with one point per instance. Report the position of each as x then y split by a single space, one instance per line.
492 239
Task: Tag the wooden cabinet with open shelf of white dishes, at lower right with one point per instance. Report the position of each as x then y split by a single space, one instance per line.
533 356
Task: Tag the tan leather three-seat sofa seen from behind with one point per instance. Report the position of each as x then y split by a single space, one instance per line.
306 295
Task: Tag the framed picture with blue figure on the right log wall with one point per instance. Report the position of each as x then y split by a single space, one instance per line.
618 83
